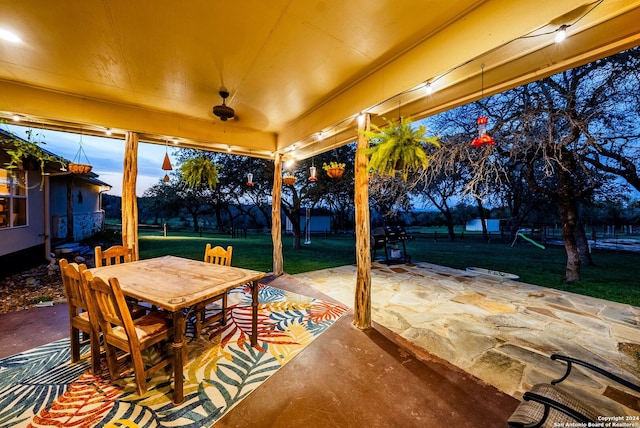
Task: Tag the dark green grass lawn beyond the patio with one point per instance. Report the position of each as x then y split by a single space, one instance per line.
614 276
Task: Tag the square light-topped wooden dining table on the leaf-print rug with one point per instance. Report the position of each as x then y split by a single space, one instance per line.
176 284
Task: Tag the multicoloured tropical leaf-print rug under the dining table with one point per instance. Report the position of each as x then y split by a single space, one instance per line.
41 388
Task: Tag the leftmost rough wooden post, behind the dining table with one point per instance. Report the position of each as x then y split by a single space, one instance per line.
129 200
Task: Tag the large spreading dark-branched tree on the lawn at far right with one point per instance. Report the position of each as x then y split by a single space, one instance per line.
556 139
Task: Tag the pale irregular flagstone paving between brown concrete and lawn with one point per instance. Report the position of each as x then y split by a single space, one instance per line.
501 331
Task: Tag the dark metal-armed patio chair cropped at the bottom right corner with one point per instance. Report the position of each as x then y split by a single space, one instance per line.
546 405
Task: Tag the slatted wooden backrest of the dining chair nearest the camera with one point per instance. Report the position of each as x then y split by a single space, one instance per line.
110 307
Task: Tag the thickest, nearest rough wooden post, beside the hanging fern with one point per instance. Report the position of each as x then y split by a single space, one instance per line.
362 318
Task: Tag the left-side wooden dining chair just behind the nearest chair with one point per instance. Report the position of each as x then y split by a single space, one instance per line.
74 280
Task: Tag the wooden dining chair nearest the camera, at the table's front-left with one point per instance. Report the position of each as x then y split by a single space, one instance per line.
121 331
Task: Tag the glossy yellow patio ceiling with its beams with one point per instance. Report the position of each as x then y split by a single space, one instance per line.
294 68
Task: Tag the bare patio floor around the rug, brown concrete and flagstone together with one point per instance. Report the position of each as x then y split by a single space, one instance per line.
447 346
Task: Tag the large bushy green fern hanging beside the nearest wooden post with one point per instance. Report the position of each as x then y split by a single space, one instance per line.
399 148
